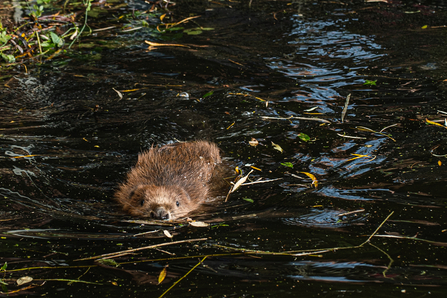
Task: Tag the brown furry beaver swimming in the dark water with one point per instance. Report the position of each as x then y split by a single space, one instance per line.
169 182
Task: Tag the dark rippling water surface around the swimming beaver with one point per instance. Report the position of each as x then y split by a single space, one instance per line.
67 140
